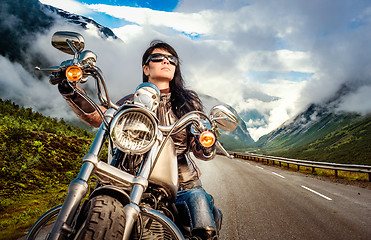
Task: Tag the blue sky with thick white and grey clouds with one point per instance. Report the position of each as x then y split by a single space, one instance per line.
269 59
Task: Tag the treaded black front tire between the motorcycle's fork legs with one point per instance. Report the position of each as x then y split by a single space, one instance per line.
105 219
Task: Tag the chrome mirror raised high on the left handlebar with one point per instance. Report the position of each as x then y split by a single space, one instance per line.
68 42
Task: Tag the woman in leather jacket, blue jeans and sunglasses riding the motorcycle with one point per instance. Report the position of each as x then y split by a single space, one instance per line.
161 67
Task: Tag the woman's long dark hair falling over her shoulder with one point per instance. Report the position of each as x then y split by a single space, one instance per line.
182 99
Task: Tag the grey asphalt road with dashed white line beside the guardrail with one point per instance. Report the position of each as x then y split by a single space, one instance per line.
266 202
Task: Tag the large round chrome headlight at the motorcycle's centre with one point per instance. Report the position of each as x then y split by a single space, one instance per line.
134 130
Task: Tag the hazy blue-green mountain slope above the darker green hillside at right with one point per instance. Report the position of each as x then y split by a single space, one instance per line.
316 124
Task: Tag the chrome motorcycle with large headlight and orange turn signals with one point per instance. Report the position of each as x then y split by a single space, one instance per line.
136 187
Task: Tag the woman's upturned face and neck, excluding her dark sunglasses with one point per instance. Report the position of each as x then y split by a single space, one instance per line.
160 73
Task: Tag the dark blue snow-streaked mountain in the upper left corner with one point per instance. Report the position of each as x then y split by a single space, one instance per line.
22 20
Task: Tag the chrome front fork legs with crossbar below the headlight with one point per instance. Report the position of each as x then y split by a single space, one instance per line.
78 187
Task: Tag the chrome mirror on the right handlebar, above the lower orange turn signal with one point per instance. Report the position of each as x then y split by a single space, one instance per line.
224 118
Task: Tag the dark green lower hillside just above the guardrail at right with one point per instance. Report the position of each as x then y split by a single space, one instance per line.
347 144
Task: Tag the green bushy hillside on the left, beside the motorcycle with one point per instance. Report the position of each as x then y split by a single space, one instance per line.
39 157
